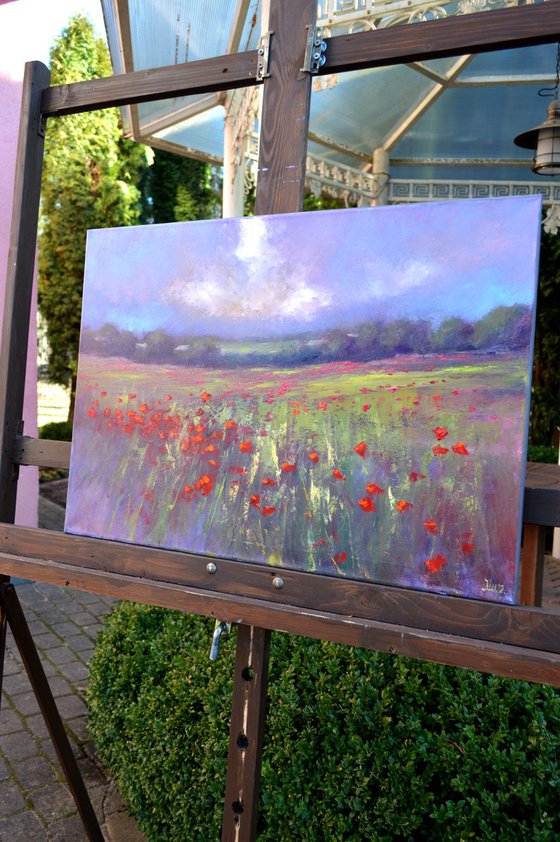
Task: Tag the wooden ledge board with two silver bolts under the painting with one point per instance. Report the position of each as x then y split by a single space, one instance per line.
524 626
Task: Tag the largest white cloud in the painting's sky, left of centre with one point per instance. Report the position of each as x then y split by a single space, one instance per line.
254 281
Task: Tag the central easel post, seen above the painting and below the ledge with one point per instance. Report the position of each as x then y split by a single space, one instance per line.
282 151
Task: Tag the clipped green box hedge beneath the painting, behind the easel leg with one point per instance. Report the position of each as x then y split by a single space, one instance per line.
358 745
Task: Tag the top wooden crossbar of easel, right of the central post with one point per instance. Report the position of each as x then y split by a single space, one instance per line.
502 29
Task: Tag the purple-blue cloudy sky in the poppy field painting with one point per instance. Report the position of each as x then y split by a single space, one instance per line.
269 276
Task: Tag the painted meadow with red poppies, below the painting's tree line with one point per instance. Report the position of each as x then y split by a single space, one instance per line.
406 471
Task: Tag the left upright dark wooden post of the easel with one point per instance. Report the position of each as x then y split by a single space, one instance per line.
19 278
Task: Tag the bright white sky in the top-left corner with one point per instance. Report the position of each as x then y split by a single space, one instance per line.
43 21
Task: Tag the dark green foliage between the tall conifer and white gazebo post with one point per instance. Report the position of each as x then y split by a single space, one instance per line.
177 189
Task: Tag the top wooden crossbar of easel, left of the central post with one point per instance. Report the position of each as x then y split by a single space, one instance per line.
197 77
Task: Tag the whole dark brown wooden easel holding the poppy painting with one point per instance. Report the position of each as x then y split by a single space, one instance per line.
515 641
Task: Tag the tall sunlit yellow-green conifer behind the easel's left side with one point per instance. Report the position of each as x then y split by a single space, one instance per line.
89 181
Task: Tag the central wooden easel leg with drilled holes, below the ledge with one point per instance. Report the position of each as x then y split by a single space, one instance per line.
246 734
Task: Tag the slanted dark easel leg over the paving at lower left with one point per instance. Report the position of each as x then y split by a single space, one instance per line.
10 610
